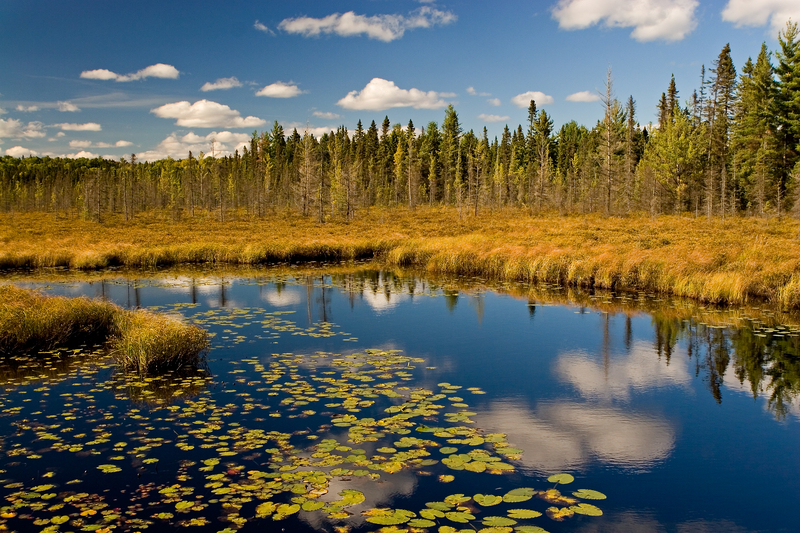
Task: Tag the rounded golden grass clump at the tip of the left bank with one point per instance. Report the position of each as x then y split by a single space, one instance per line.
149 342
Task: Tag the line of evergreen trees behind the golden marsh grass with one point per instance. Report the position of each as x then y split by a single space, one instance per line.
730 149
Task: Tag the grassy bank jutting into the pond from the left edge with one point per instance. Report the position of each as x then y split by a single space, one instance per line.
140 340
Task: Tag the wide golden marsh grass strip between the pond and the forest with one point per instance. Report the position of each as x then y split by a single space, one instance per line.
725 262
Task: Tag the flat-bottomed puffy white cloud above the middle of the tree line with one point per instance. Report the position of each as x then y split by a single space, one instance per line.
381 94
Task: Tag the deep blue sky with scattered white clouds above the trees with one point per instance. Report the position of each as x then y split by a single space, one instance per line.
115 78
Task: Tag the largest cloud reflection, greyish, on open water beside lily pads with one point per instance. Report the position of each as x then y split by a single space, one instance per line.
565 436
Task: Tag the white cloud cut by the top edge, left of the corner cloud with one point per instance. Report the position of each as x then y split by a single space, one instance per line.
668 20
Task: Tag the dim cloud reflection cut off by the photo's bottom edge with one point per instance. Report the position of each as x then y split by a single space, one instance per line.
632 522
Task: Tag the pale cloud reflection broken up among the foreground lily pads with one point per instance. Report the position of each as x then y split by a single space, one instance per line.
377 494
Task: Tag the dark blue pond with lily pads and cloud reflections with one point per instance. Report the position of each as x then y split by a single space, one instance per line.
355 400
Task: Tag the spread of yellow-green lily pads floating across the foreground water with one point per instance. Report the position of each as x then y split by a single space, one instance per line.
276 437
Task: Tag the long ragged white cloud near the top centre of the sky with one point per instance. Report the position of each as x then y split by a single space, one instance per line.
381 27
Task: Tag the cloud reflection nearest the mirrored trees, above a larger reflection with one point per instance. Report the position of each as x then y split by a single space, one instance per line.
641 369
